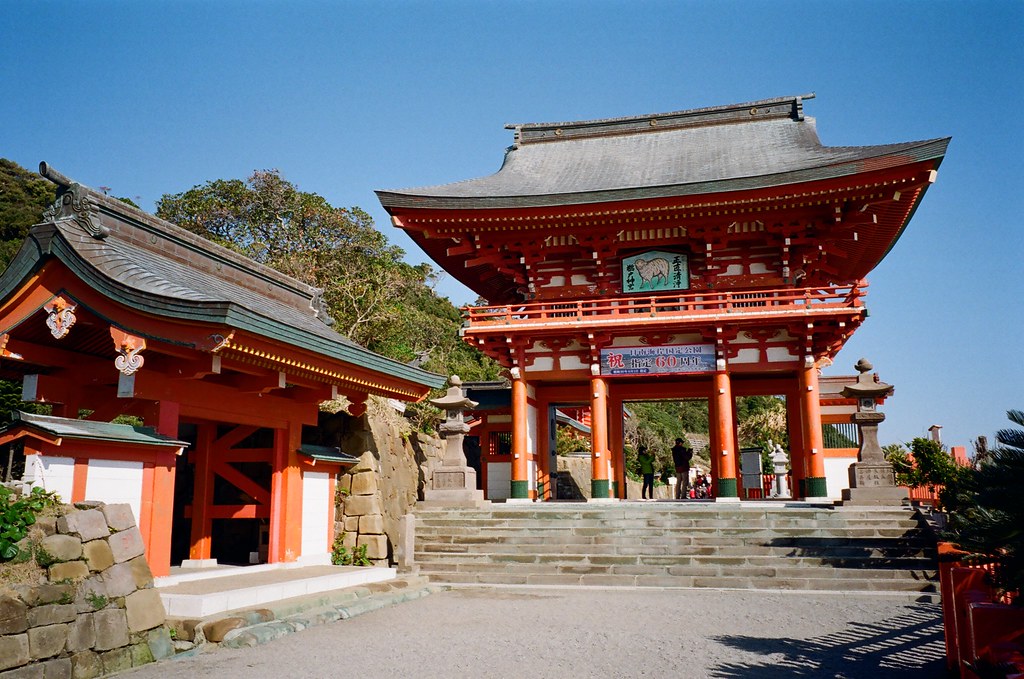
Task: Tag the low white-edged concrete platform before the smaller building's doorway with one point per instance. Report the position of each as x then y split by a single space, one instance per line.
203 592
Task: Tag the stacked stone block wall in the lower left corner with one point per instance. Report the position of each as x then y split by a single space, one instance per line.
97 614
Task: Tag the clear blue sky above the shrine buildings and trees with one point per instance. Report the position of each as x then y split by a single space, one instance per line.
347 98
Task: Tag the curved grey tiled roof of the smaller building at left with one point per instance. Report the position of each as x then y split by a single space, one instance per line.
154 267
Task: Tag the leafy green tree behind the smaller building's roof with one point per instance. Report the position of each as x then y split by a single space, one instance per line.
375 299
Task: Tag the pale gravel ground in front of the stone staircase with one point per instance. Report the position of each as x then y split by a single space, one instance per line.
510 632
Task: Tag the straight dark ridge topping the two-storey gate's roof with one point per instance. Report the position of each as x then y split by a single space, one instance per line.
785 107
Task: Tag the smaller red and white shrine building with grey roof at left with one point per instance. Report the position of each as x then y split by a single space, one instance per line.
110 313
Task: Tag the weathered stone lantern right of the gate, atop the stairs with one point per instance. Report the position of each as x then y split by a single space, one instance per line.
873 481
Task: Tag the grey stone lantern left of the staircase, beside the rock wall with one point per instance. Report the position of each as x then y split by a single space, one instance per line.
454 483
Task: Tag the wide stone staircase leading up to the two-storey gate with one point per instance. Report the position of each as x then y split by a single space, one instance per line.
667 544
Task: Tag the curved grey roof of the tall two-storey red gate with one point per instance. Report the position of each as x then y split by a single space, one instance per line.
733 148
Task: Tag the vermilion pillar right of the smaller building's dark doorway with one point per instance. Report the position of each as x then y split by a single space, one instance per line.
286 496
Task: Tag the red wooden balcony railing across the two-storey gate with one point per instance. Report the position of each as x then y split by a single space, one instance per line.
669 306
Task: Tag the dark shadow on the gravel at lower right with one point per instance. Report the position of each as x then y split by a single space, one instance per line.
908 646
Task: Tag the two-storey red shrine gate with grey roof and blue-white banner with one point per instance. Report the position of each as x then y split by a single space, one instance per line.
709 253
